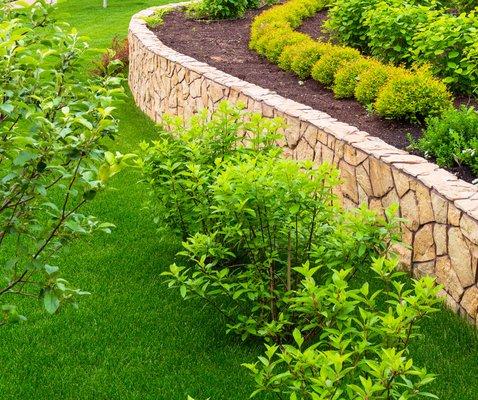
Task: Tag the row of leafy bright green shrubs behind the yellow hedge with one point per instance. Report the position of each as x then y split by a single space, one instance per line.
412 32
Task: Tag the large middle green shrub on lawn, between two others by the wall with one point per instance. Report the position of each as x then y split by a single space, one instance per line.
270 215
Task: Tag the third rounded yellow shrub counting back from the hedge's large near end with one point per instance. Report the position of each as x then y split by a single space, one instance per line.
347 76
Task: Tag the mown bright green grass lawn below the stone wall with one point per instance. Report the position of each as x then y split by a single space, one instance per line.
133 338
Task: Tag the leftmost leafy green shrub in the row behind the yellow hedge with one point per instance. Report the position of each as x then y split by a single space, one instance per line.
346 22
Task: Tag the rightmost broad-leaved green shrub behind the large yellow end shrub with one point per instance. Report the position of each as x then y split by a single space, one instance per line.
449 44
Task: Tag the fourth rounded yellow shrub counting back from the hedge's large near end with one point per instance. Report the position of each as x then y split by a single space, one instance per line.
324 70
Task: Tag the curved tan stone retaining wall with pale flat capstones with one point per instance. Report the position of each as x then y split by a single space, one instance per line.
442 210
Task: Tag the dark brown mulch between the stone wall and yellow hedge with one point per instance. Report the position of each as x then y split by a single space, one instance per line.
224 45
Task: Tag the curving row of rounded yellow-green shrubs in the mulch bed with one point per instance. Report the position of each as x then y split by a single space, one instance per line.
392 92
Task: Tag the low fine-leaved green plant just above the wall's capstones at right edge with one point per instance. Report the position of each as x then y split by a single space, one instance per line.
452 139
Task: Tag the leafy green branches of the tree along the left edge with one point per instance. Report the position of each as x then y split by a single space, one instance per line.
52 157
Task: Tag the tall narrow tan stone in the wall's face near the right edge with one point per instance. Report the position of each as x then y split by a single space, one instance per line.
460 257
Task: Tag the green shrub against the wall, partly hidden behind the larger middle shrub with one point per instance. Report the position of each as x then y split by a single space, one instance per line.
182 164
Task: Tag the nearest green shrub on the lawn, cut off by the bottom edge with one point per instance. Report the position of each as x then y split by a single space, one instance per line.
353 348
